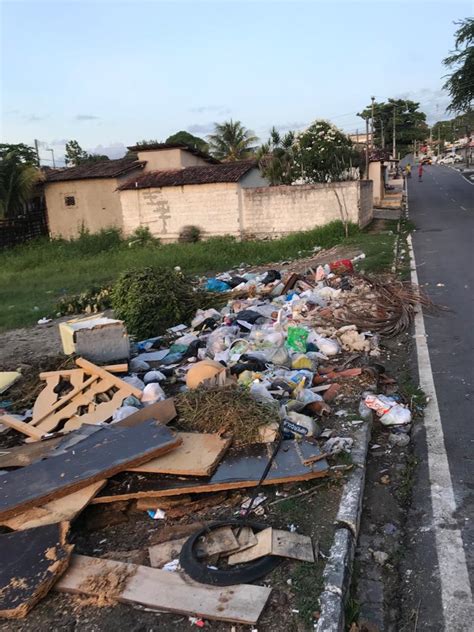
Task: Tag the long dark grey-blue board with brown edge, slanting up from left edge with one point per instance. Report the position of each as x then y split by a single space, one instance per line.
105 452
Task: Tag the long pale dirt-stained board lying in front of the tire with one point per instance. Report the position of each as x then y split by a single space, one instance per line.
172 592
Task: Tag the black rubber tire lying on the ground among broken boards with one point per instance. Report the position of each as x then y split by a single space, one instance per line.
243 574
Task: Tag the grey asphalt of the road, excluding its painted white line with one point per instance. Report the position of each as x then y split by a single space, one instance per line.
442 207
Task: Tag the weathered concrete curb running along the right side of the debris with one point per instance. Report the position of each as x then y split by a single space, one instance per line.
338 569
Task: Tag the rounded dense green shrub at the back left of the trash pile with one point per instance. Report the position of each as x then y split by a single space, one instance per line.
150 300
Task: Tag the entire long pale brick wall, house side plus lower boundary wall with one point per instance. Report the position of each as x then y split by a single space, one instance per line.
223 209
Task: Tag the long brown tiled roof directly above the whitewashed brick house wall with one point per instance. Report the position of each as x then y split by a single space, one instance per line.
207 174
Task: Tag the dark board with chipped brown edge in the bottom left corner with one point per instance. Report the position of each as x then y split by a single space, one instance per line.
32 561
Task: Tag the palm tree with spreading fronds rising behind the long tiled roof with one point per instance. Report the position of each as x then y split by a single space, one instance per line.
231 141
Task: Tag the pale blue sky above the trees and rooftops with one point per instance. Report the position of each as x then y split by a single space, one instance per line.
110 73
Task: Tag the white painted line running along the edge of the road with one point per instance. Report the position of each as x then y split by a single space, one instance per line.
456 596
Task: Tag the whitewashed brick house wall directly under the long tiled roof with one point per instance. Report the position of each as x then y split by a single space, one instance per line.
212 207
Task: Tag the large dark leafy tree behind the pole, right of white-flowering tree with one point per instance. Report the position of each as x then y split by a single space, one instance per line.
410 123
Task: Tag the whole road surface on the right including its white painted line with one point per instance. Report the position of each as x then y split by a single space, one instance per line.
438 569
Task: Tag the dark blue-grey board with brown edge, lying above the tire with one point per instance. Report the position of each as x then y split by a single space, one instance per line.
238 469
